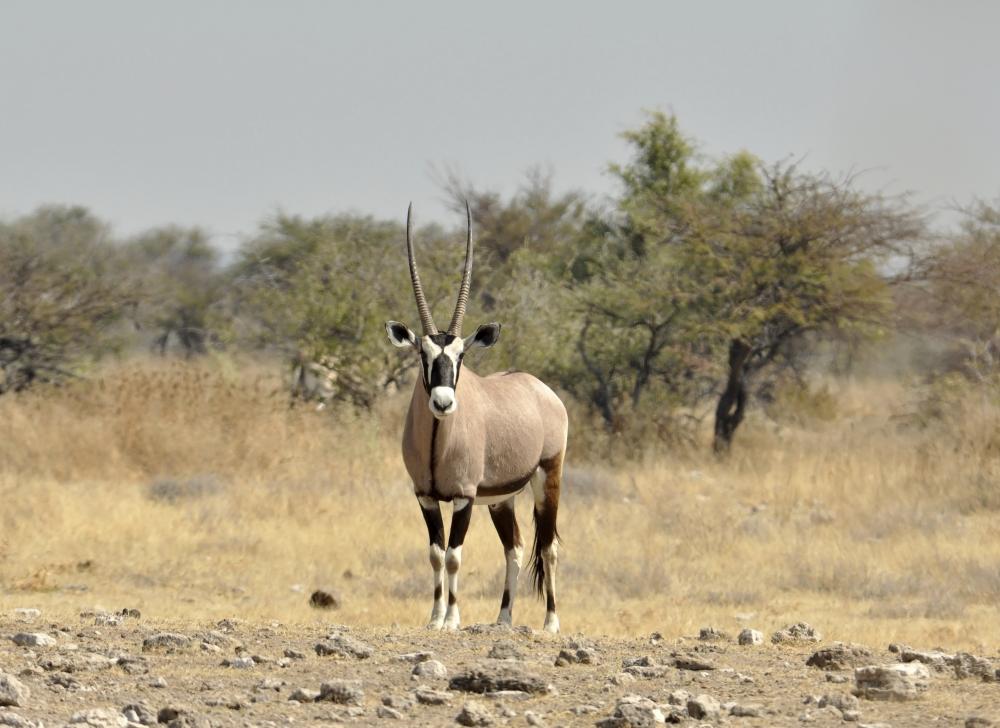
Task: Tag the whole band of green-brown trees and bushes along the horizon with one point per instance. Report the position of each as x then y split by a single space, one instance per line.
704 283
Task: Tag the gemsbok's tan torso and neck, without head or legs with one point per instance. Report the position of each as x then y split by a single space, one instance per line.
505 426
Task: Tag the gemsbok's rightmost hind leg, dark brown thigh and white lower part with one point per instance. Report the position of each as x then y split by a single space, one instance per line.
546 556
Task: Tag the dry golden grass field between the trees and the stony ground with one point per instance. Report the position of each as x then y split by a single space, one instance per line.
192 491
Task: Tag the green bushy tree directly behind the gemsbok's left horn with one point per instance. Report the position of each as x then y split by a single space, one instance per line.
322 288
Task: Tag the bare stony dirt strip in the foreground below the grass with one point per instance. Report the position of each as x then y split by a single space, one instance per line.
238 673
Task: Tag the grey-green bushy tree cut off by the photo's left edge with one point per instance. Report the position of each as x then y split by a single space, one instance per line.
62 292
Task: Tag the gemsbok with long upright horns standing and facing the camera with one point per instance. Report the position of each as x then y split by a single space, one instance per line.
508 428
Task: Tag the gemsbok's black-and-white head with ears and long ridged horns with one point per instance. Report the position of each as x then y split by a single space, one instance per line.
441 353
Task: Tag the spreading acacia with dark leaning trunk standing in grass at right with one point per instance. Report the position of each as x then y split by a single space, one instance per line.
803 256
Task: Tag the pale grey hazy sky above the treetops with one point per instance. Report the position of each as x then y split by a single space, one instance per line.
218 113
